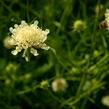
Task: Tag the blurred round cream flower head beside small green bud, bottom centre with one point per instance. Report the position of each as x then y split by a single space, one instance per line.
59 84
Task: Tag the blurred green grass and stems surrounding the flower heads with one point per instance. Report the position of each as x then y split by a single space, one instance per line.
80 57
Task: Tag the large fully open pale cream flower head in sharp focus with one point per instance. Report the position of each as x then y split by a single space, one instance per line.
26 36
